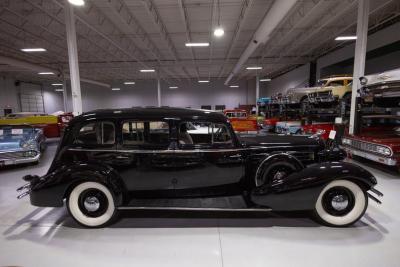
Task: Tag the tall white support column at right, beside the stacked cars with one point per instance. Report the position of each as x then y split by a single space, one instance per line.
359 58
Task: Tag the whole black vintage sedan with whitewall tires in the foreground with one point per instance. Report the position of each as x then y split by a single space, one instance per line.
174 158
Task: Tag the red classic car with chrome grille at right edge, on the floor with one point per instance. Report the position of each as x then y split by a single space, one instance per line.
379 140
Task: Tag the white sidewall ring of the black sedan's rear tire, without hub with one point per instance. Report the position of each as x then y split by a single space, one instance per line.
75 211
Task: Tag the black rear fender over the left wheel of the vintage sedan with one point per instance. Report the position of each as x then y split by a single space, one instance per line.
51 189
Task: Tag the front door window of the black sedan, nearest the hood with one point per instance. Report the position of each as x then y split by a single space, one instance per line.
204 133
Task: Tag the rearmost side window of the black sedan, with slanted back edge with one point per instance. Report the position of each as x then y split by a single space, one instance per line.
96 133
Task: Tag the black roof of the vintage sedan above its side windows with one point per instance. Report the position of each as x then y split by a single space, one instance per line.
153 113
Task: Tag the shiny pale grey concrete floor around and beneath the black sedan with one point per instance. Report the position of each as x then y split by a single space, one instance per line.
31 236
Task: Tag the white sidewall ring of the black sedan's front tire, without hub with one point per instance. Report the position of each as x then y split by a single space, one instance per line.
353 215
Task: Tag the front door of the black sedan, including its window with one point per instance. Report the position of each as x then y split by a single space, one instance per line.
207 155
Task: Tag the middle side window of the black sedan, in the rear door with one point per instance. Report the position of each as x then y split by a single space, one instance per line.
145 132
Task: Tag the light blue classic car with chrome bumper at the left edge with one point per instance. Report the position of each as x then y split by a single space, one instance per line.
20 144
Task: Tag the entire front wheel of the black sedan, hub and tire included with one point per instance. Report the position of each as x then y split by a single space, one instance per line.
341 203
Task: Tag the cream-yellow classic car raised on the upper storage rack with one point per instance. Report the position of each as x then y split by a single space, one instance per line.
331 90
